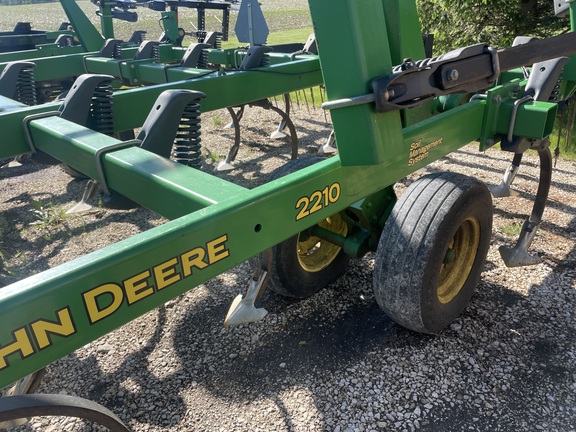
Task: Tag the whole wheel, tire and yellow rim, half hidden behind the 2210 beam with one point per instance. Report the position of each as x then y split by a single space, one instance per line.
303 264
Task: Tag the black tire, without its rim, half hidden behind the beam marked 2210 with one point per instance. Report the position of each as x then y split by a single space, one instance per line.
286 276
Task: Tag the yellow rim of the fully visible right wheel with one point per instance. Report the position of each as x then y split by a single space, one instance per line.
458 260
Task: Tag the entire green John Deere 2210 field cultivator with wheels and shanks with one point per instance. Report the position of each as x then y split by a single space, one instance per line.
394 111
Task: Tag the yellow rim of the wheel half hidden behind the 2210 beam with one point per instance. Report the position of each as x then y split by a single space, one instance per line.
314 253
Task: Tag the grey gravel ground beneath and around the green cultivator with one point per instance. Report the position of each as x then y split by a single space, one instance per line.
333 362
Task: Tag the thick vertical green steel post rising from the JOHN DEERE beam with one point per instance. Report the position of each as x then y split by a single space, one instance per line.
354 48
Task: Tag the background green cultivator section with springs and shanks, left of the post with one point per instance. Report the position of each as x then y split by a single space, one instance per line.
202 64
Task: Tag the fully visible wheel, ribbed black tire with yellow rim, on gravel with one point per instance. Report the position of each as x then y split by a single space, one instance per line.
437 212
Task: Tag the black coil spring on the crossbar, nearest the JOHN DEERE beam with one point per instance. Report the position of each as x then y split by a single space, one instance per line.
186 149
